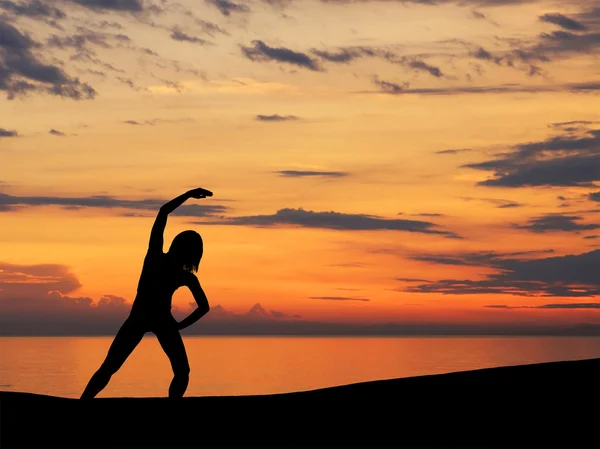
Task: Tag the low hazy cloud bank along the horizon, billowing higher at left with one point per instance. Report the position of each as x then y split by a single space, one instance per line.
39 300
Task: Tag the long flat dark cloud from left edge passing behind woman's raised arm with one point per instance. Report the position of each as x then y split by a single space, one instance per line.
8 202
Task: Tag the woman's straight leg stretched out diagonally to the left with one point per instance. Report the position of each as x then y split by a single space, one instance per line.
128 337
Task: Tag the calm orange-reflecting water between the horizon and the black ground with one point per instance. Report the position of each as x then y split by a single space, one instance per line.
61 366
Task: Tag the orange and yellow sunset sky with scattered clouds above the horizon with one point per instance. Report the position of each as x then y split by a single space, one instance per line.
422 164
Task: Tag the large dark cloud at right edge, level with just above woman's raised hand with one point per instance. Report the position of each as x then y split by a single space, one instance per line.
564 160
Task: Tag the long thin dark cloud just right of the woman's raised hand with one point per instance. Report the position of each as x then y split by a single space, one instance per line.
332 220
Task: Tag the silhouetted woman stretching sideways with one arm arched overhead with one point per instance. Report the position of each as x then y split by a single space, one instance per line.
162 274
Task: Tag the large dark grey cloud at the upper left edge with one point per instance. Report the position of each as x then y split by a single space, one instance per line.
21 72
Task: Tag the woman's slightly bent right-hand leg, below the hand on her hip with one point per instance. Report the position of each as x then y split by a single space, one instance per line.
171 342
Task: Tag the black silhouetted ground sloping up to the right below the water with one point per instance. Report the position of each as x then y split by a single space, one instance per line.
543 406
